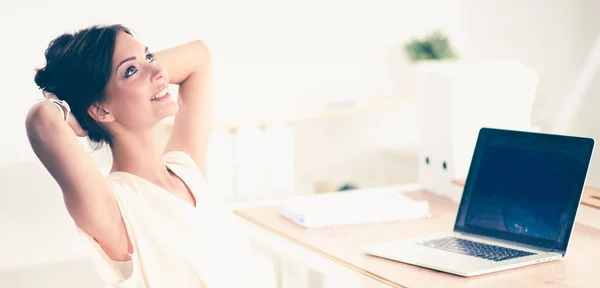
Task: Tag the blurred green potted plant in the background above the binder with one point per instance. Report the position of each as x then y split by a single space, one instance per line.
435 46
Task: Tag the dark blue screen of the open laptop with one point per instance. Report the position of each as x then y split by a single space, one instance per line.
524 187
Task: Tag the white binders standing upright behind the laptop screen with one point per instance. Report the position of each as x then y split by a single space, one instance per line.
455 101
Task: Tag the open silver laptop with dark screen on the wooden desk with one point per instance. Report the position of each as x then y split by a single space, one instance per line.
518 206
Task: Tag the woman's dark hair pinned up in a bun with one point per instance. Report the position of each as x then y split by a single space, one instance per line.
78 68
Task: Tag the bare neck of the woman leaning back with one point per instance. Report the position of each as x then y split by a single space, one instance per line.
138 154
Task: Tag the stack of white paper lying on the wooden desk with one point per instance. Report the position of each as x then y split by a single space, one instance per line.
351 208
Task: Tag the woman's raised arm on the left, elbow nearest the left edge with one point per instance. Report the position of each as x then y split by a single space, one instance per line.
87 196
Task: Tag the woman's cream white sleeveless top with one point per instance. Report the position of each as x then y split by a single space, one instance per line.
174 243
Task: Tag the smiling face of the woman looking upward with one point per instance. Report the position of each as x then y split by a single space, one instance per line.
135 92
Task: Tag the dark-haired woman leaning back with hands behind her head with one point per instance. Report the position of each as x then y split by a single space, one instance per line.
152 222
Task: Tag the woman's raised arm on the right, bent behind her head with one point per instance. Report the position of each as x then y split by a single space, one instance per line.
189 66
